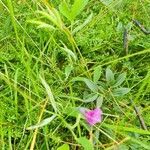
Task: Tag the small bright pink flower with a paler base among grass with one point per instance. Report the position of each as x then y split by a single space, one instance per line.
92 116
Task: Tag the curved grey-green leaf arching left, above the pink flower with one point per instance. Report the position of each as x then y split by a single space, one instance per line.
91 85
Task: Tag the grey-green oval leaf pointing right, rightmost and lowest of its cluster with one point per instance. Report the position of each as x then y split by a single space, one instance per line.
120 91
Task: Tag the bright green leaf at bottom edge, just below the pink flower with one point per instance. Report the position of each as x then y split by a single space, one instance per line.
87 145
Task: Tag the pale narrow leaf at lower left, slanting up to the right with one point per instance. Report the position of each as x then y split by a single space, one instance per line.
42 123
